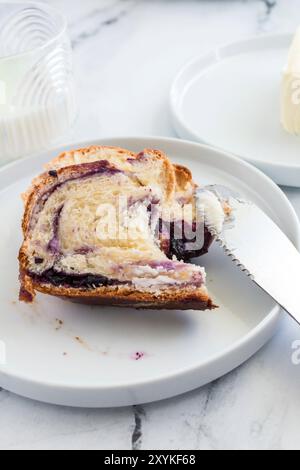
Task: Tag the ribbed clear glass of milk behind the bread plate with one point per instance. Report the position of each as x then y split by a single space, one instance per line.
37 106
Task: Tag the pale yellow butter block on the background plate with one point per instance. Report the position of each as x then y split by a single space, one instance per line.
290 89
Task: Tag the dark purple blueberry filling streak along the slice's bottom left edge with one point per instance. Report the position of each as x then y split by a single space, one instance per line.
77 281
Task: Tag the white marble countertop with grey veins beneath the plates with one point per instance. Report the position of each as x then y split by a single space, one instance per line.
126 53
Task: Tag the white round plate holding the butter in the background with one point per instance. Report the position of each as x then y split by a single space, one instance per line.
230 99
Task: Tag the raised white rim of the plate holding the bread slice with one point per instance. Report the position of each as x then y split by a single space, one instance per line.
259 335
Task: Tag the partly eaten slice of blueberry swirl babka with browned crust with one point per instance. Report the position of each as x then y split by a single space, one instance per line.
107 226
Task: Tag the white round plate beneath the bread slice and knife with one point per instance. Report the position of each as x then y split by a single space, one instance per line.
69 354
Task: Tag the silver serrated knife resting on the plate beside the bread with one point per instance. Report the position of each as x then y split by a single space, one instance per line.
258 246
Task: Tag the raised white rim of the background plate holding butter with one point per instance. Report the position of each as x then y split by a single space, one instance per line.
186 132
